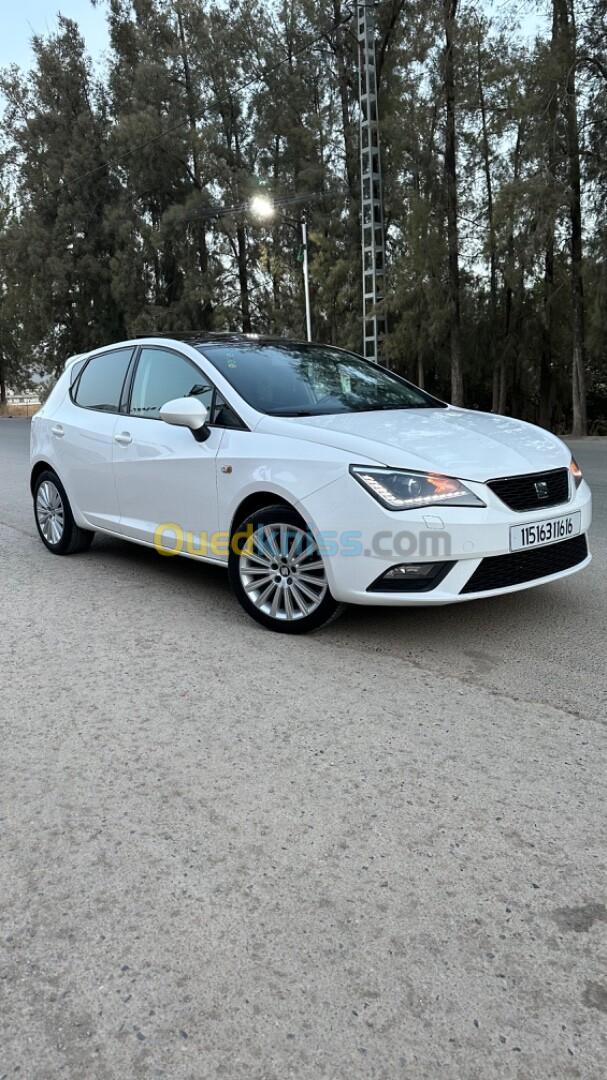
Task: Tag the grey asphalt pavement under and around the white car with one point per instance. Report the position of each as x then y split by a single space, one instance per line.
375 853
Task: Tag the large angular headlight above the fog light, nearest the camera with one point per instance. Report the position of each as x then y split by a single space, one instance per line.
397 490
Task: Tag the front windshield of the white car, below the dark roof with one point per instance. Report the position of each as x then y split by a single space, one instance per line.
312 381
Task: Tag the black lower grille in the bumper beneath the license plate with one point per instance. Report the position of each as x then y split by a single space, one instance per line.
498 572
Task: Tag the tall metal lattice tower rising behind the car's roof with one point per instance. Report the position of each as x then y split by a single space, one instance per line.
373 233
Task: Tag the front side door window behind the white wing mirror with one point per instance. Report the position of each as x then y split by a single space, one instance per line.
163 376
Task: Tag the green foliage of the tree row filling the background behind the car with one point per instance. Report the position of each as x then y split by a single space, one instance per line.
112 190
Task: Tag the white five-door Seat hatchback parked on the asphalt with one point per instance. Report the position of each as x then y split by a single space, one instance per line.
317 478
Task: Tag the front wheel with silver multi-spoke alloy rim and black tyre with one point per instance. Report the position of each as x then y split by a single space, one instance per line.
278 573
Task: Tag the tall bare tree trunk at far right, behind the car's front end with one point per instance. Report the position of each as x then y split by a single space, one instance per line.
565 20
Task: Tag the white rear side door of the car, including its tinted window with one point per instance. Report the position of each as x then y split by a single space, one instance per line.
83 435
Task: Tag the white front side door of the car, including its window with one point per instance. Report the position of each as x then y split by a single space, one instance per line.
166 479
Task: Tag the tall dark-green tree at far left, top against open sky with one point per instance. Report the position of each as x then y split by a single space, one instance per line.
57 121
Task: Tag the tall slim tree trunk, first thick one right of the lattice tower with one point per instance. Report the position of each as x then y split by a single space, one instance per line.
451 185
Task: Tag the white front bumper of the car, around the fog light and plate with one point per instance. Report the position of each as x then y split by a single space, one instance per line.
360 541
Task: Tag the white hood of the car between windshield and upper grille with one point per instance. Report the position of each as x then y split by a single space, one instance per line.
463 443
